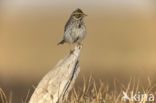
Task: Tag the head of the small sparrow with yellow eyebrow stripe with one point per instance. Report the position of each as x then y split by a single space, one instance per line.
78 14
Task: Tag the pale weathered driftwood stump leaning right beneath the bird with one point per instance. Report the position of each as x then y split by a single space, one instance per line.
56 84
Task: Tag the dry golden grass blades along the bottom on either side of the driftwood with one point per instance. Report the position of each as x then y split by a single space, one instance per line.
101 92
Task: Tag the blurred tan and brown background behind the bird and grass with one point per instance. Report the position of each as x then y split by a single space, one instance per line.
120 42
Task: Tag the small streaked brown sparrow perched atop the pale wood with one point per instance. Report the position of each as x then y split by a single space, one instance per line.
75 28
